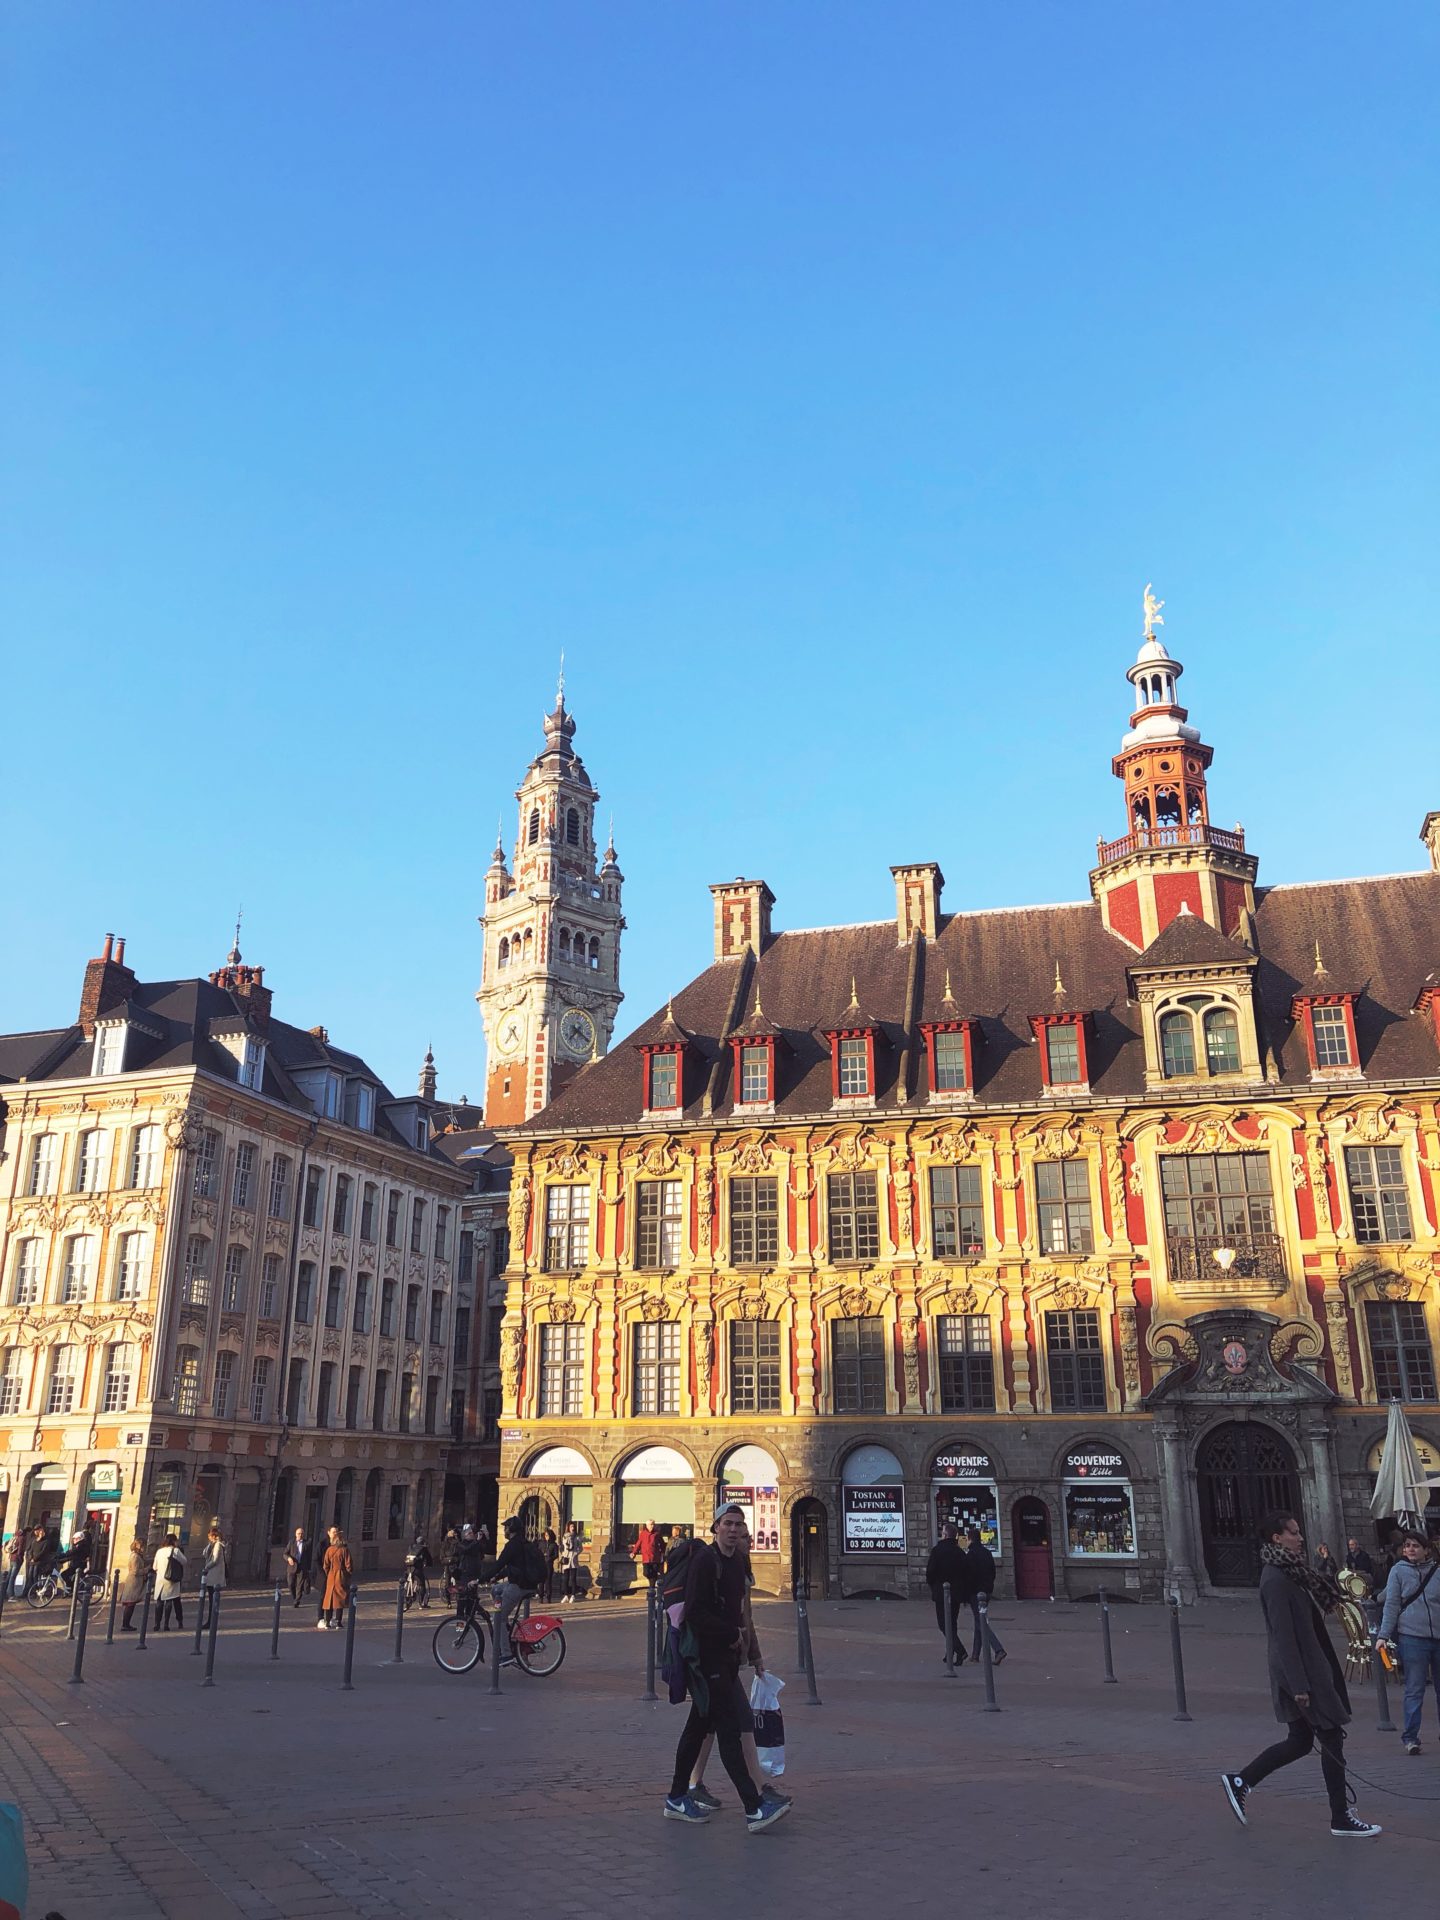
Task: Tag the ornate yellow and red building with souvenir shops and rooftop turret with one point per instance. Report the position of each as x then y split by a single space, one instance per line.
1099 1226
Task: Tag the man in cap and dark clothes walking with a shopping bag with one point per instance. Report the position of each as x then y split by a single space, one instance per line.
715 1625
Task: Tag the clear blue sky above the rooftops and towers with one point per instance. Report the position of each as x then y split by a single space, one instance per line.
827 379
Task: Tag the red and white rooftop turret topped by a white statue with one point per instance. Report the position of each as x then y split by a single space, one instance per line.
1170 859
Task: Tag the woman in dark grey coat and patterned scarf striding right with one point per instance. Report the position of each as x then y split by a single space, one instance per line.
1305 1677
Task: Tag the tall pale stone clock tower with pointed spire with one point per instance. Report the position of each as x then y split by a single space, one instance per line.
550 974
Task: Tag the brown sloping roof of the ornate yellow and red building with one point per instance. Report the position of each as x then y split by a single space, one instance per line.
1003 967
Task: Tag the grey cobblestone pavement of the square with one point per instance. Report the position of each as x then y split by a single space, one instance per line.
277 1794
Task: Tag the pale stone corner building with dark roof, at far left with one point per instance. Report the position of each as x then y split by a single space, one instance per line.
226 1274
